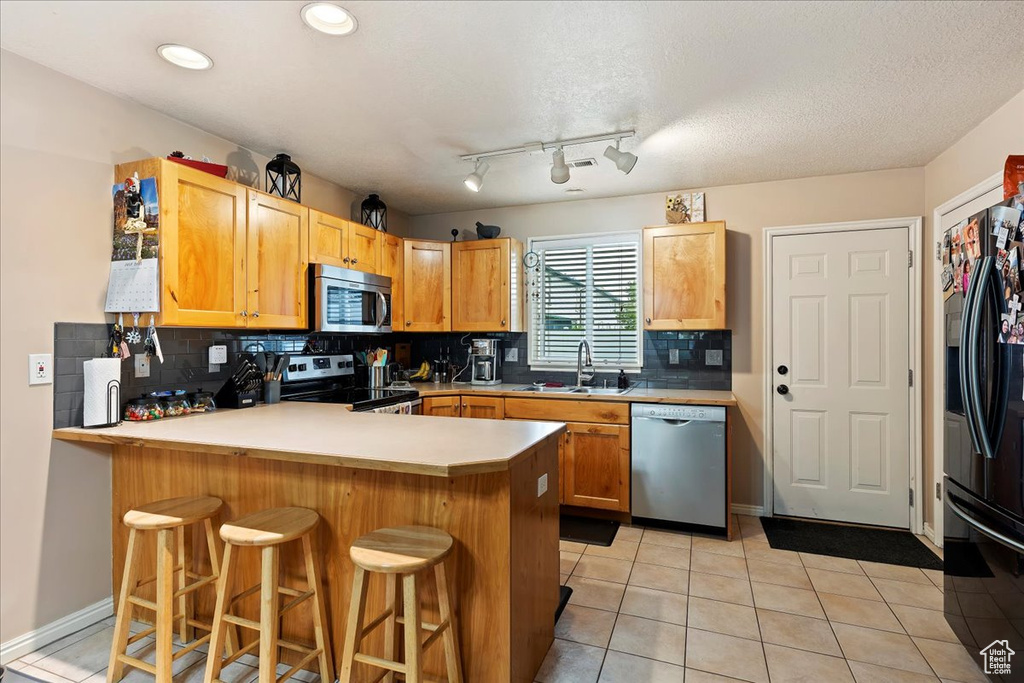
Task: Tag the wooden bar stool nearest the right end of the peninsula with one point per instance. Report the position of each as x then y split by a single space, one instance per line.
401 553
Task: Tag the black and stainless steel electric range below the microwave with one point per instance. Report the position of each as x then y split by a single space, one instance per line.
331 379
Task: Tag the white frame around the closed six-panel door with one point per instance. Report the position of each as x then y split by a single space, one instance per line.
914 226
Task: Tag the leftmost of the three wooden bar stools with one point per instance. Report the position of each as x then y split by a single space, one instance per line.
169 520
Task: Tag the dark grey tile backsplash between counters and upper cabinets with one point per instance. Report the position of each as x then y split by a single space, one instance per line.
186 353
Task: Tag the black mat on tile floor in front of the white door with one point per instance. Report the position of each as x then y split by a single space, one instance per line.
856 543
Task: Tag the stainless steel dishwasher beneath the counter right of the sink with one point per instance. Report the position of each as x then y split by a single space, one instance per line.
678 464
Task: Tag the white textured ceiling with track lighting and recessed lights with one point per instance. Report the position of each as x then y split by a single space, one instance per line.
719 93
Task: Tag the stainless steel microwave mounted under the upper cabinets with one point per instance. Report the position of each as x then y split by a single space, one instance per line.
352 302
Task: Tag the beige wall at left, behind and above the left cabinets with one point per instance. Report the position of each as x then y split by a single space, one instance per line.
60 141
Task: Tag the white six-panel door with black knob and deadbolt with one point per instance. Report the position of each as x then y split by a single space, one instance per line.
842 357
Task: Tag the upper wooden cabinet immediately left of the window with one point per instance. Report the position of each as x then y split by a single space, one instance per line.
488 286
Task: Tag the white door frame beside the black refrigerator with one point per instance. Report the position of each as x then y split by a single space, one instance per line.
936 303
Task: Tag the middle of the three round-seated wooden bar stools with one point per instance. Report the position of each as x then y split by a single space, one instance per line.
269 530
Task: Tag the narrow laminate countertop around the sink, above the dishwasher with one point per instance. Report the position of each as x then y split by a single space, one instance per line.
637 396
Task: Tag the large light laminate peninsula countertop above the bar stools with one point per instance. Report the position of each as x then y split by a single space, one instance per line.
331 435
